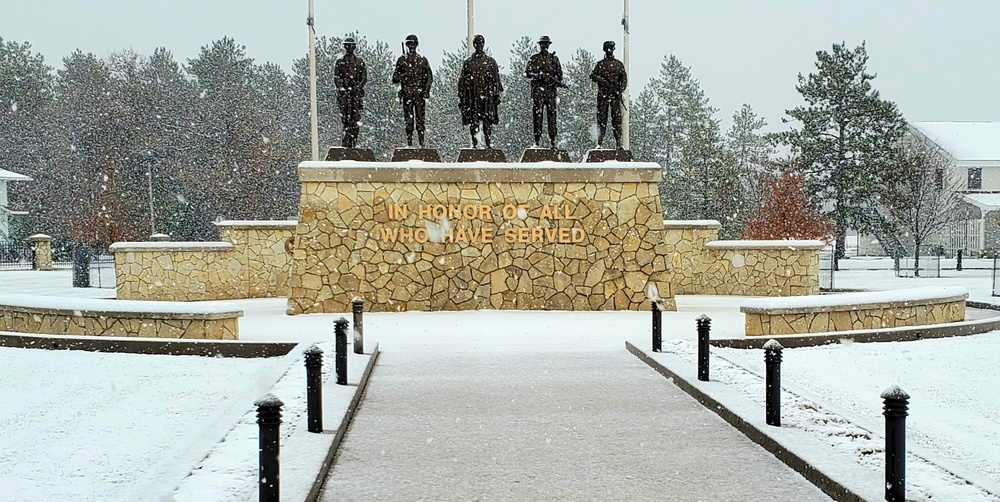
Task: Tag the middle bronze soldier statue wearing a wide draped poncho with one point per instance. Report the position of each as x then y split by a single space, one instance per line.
479 89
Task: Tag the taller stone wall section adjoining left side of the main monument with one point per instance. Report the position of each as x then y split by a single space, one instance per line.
262 247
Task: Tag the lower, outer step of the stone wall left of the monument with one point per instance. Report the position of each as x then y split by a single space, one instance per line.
177 271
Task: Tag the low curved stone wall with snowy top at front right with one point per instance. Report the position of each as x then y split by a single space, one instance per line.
854 311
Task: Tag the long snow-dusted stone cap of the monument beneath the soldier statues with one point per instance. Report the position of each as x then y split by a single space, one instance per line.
479 172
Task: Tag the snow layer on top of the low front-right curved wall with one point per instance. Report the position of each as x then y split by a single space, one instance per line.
865 298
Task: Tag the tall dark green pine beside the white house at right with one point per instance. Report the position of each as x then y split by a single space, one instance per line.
845 136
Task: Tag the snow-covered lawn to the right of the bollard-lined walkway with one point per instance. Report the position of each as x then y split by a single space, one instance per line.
954 402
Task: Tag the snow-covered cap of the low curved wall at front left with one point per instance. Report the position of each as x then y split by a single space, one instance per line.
134 308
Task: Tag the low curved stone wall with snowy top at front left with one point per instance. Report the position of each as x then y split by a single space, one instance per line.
120 318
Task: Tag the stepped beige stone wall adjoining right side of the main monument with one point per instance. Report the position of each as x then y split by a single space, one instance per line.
703 265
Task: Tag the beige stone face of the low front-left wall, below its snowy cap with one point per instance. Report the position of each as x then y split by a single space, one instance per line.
207 326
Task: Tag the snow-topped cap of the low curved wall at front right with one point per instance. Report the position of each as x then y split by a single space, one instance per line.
855 301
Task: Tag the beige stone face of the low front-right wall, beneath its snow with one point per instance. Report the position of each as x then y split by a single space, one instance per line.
853 317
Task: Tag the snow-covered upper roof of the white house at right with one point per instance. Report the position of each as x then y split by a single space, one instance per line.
968 143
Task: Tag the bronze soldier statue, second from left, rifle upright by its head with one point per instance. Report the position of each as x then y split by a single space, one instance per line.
413 74
